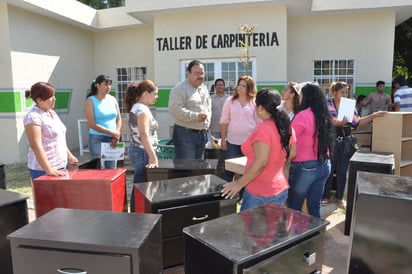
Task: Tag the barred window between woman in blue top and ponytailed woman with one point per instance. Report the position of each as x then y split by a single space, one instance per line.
124 77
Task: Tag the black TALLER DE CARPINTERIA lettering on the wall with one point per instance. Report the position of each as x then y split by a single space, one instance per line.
216 41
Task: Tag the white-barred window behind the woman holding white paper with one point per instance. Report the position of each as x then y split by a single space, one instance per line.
327 71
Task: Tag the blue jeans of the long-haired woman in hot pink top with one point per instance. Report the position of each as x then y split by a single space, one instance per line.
307 180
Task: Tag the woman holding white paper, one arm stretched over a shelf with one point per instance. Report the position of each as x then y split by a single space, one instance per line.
345 119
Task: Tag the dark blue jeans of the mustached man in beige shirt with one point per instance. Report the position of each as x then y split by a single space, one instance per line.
189 144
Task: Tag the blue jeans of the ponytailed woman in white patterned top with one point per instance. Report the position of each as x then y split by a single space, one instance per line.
139 159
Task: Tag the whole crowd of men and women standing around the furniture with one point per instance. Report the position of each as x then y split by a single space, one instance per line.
298 128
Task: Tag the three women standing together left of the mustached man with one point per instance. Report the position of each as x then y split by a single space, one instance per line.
46 133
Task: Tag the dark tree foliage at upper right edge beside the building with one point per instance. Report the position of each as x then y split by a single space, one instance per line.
402 61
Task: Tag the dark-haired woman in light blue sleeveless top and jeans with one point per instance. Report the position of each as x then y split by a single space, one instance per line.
103 118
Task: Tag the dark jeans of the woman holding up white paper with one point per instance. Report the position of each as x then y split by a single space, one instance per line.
340 164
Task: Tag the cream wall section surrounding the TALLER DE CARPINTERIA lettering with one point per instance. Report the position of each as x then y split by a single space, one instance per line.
271 60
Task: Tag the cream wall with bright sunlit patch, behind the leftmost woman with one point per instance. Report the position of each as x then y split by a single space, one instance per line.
46 50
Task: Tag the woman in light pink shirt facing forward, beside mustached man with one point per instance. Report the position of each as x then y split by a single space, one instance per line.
238 119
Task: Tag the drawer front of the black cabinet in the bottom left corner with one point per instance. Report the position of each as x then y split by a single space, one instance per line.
49 261
